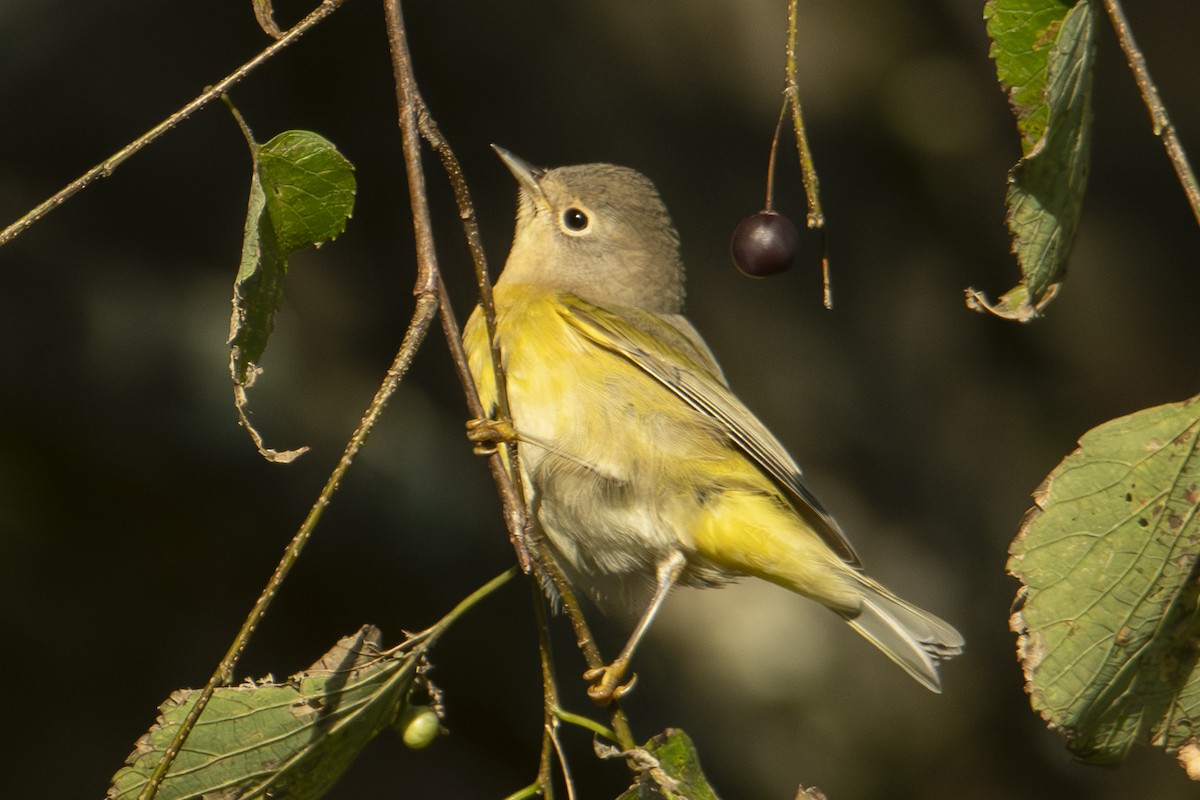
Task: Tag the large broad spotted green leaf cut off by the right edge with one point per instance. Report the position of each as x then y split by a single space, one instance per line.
1108 616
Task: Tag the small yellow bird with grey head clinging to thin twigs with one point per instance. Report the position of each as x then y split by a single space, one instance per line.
641 468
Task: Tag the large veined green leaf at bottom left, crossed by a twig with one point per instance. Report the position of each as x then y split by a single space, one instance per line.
281 741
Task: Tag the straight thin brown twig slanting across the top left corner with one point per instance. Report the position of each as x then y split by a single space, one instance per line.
106 169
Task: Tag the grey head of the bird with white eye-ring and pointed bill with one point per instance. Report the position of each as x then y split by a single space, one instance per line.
596 231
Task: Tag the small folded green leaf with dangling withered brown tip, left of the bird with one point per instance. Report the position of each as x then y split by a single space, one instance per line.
302 194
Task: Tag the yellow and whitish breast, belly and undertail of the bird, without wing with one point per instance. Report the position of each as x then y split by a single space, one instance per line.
621 473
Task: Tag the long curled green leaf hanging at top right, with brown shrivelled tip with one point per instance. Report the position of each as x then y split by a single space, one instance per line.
1045 53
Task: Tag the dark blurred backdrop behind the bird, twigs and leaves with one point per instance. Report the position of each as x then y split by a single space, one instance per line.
137 525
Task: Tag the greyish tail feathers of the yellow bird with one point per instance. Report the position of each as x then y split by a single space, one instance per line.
914 639
